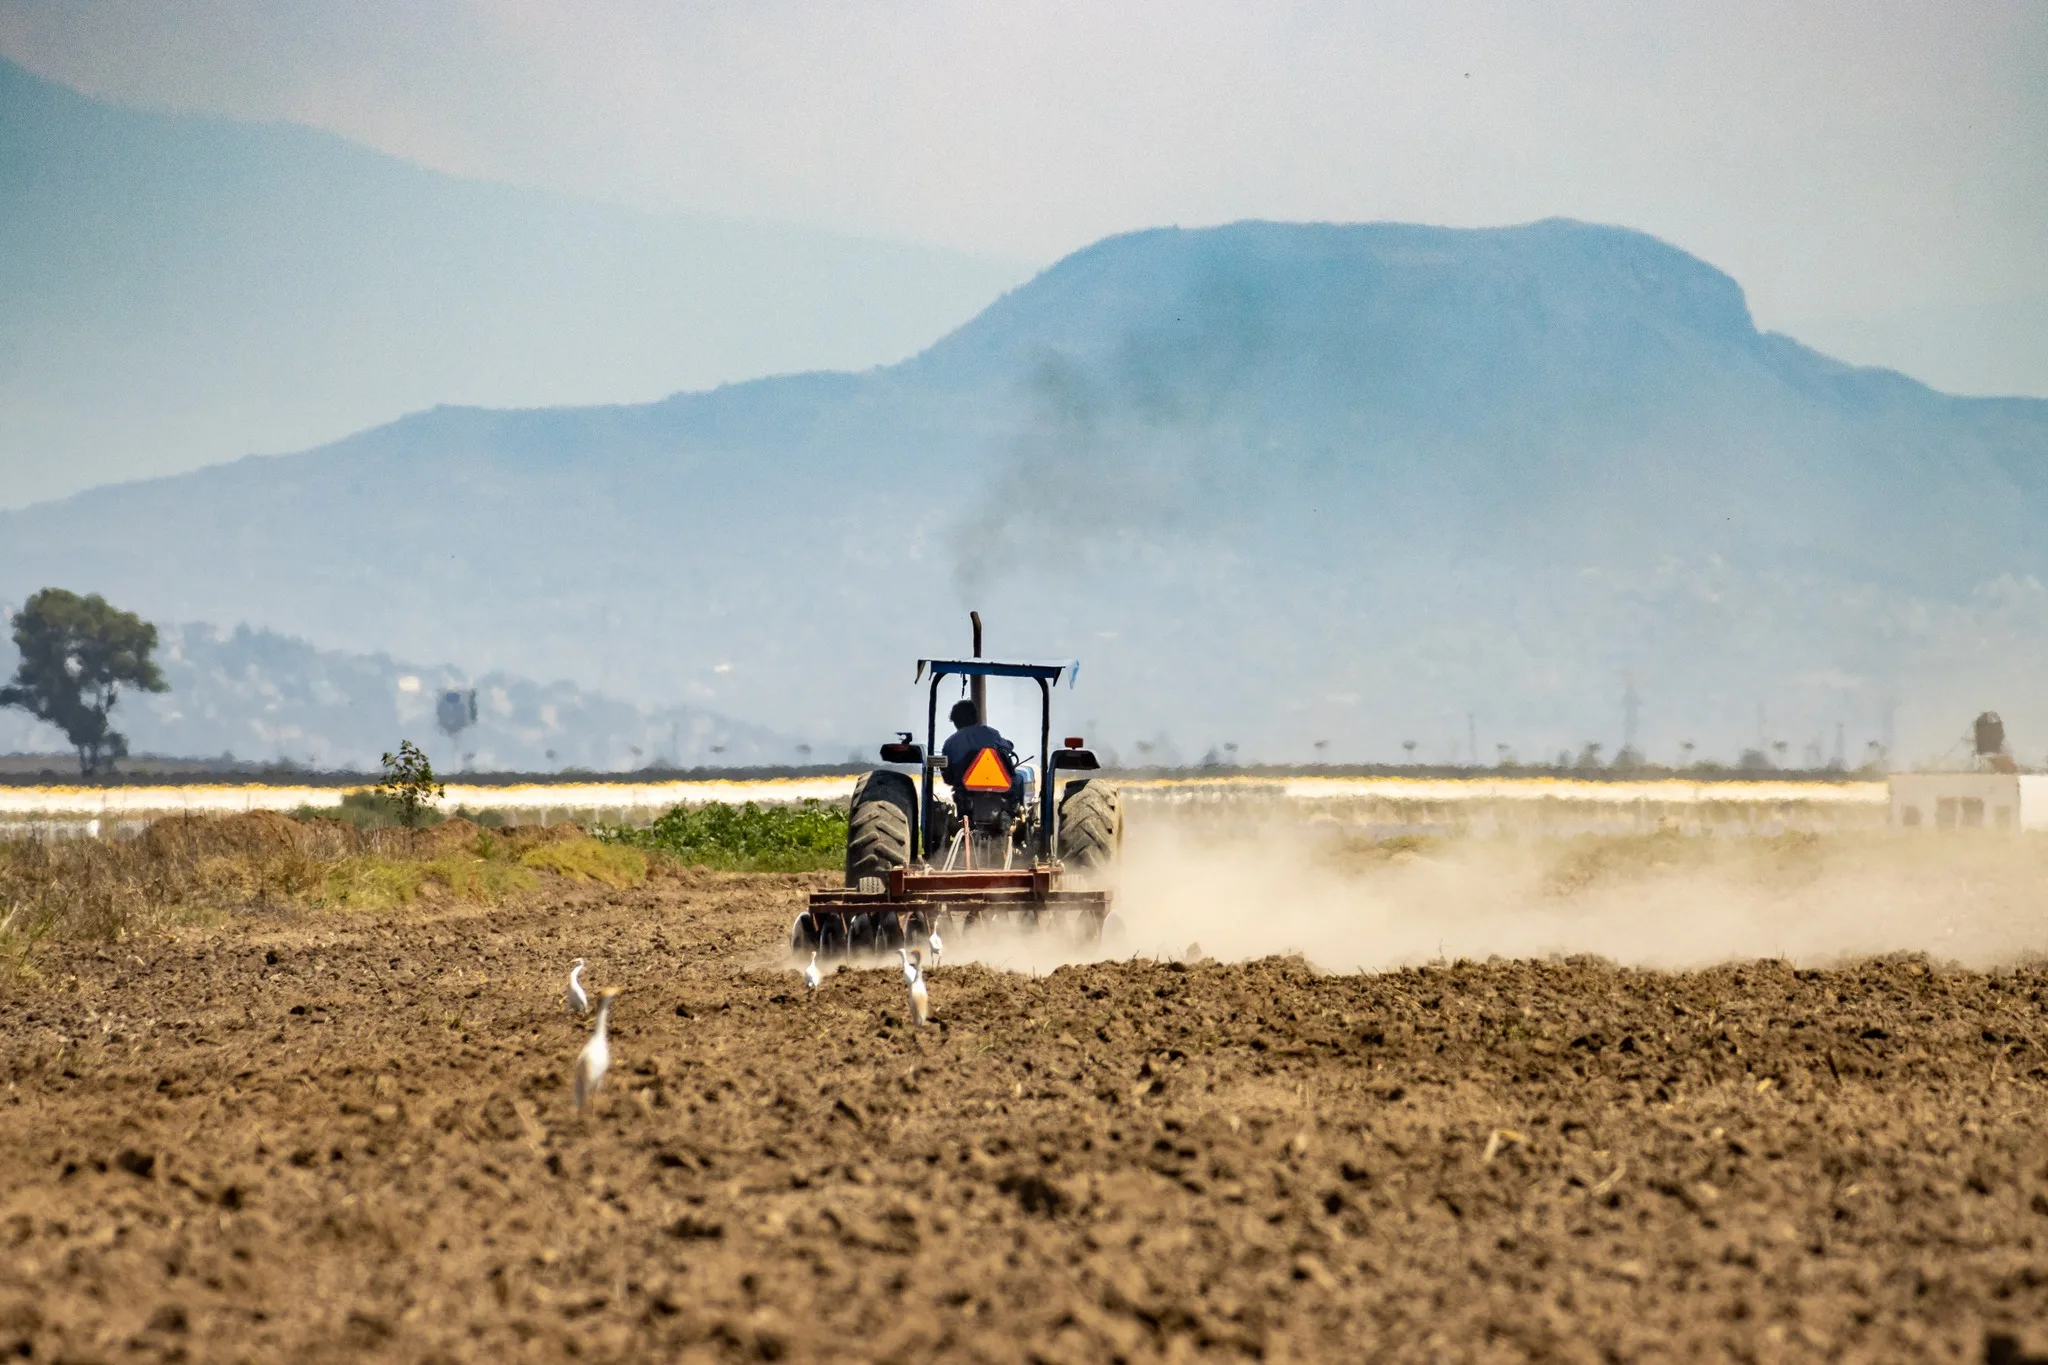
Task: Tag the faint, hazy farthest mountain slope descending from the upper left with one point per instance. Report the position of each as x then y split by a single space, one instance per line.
183 290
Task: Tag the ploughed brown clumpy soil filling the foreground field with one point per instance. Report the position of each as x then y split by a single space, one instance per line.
351 1139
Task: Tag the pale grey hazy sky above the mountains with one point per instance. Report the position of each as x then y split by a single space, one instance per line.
1859 165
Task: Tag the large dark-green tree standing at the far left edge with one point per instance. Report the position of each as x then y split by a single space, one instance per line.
77 654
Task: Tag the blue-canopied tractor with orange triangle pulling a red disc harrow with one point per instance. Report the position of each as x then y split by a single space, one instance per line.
998 852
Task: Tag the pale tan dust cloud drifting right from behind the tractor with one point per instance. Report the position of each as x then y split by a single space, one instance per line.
1637 901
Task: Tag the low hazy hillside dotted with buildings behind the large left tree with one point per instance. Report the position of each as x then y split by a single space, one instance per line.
269 699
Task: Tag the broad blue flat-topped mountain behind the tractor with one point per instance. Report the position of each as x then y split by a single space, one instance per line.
1275 484
